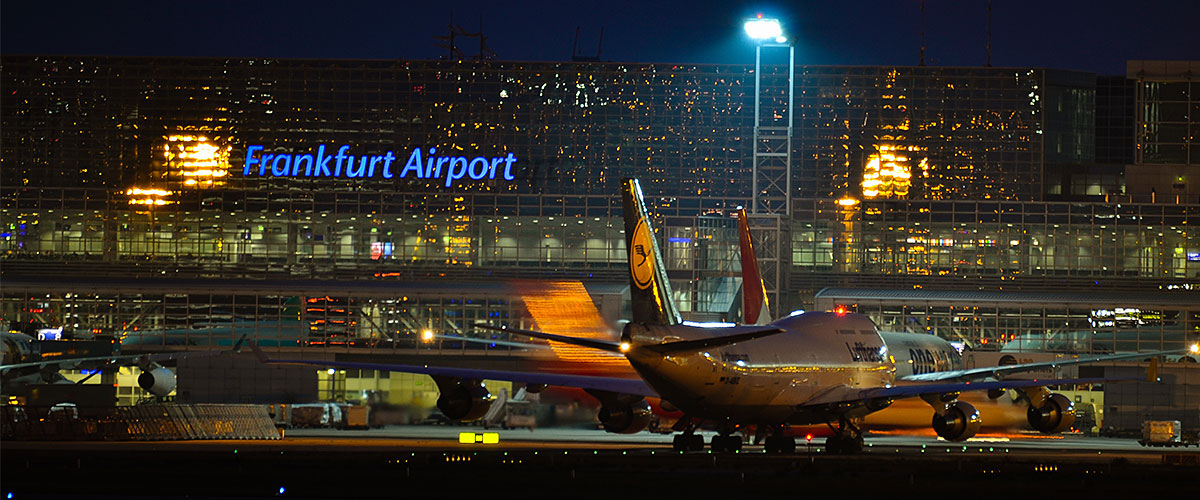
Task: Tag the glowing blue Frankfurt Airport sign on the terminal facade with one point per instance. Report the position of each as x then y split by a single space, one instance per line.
344 165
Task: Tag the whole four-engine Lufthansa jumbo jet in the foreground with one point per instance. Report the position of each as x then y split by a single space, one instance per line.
811 369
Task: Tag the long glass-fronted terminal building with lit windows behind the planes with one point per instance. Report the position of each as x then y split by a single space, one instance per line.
343 208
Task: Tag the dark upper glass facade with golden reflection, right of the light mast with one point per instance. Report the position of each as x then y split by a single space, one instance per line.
920 132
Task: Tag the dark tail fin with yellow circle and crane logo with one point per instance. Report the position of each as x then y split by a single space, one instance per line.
650 290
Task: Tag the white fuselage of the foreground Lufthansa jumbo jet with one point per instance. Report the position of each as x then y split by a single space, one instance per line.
769 381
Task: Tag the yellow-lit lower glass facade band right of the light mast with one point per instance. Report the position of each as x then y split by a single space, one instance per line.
985 243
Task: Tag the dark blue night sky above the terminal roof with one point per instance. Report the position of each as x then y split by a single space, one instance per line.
1096 37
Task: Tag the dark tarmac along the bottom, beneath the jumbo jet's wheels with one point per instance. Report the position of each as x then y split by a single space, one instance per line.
430 462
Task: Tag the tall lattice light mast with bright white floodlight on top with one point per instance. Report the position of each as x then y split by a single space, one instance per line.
771 207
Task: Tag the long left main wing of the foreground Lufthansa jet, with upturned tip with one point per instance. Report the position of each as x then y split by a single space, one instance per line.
613 384
